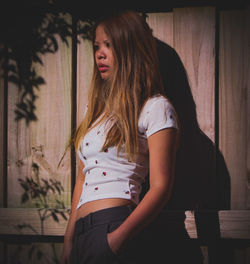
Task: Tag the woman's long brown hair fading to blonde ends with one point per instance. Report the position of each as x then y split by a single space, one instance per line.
135 78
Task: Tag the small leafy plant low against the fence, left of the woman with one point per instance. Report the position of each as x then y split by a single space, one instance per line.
42 191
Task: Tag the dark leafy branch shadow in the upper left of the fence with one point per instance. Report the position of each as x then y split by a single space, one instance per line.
29 32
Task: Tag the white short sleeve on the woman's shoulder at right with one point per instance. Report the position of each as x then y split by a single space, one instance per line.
158 114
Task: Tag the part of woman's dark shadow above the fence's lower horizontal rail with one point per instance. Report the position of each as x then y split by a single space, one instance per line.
198 183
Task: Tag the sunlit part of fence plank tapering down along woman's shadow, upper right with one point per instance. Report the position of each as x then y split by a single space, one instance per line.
194 41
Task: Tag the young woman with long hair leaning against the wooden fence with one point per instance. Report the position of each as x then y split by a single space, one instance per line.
129 129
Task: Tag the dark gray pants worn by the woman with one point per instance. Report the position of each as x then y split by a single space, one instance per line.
90 244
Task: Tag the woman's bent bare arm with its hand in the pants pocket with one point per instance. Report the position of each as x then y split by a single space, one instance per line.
162 154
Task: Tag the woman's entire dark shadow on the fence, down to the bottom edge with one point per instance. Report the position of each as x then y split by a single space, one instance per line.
200 182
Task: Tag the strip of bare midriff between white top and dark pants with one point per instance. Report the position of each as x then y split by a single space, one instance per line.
93 206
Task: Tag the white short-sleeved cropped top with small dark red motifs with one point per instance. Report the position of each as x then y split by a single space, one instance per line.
108 175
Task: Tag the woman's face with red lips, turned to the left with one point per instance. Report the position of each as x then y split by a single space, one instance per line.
103 53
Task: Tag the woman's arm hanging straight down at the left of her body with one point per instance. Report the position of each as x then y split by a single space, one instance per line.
68 237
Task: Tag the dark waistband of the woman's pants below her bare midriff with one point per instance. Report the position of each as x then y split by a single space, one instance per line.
104 216
